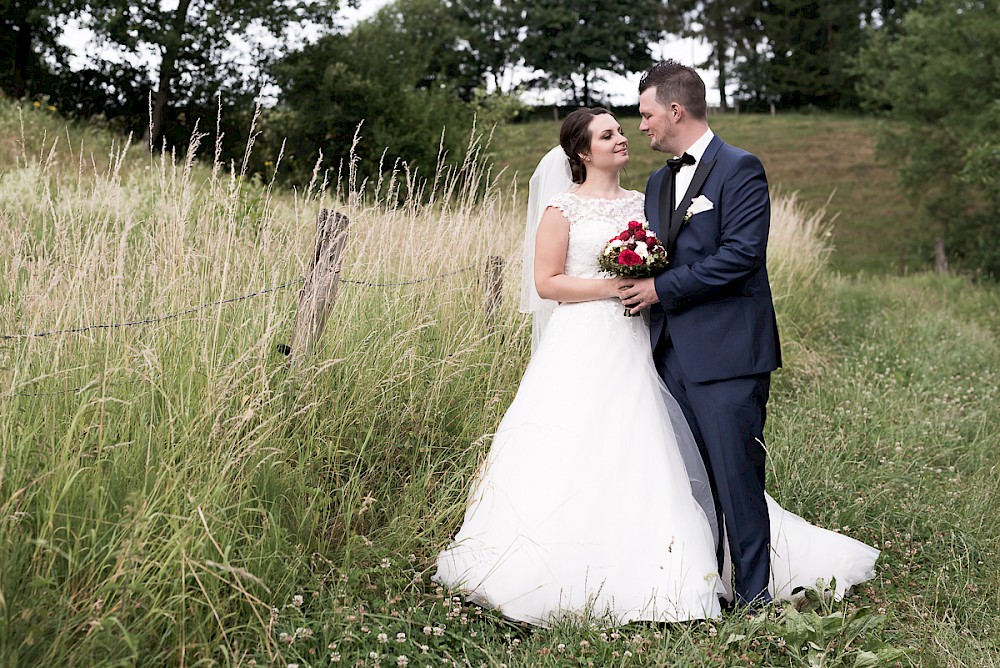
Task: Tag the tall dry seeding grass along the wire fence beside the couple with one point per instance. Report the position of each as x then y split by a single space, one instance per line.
163 486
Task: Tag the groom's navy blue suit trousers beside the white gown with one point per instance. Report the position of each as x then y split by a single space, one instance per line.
727 420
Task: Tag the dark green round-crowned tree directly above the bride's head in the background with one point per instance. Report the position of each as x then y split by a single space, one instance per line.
575 40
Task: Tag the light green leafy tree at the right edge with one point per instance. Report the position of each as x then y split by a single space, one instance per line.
938 79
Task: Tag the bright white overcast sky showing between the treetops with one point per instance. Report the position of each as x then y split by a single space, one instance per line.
621 90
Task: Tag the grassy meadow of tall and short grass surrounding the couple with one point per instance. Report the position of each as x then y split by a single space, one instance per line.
174 493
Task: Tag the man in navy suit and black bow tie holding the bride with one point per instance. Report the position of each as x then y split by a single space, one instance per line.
712 323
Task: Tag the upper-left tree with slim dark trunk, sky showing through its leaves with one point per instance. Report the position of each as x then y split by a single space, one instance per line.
193 41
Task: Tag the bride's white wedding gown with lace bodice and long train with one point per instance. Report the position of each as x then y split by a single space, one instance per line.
584 506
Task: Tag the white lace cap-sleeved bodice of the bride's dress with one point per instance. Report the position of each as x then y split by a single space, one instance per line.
592 221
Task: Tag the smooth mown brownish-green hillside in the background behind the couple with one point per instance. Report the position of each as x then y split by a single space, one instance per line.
824 158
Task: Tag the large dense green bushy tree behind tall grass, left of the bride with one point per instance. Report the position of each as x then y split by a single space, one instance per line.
399 75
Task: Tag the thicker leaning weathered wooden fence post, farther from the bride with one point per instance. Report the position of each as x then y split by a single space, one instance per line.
320 288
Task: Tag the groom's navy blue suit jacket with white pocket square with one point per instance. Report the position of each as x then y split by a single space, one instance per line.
715 296
